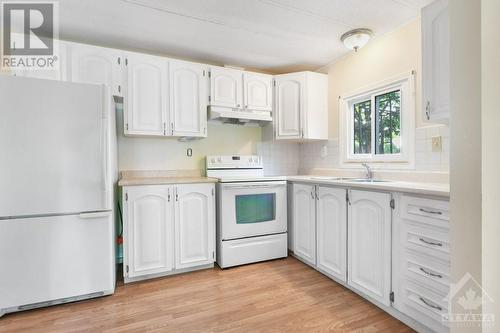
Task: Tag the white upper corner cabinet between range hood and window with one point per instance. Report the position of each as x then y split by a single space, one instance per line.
301 106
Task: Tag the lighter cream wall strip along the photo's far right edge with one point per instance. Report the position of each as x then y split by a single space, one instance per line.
490 88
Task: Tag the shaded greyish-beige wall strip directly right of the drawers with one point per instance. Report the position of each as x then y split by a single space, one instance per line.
465 171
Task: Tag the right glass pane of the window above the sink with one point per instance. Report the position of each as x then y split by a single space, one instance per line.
388 123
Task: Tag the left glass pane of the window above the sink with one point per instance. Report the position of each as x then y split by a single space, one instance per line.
362 127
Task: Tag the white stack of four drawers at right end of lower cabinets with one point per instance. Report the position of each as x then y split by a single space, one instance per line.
421 264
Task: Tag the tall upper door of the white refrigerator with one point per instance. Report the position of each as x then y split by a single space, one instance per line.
54 143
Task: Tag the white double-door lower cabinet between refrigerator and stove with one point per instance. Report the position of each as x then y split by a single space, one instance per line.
167 229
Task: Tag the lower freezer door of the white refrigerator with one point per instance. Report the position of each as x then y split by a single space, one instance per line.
53 258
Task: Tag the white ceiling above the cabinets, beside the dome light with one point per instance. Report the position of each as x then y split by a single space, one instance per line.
270 35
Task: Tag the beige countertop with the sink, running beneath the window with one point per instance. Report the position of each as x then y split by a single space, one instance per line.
432 189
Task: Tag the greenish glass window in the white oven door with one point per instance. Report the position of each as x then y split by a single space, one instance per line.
255 208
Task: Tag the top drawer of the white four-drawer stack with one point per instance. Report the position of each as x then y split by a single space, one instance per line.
425 211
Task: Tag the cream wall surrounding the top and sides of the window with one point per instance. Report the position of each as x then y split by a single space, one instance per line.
390 55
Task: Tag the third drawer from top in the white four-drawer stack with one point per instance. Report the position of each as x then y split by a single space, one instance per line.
427 271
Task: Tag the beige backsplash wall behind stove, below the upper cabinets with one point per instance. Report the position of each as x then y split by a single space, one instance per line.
169 154
